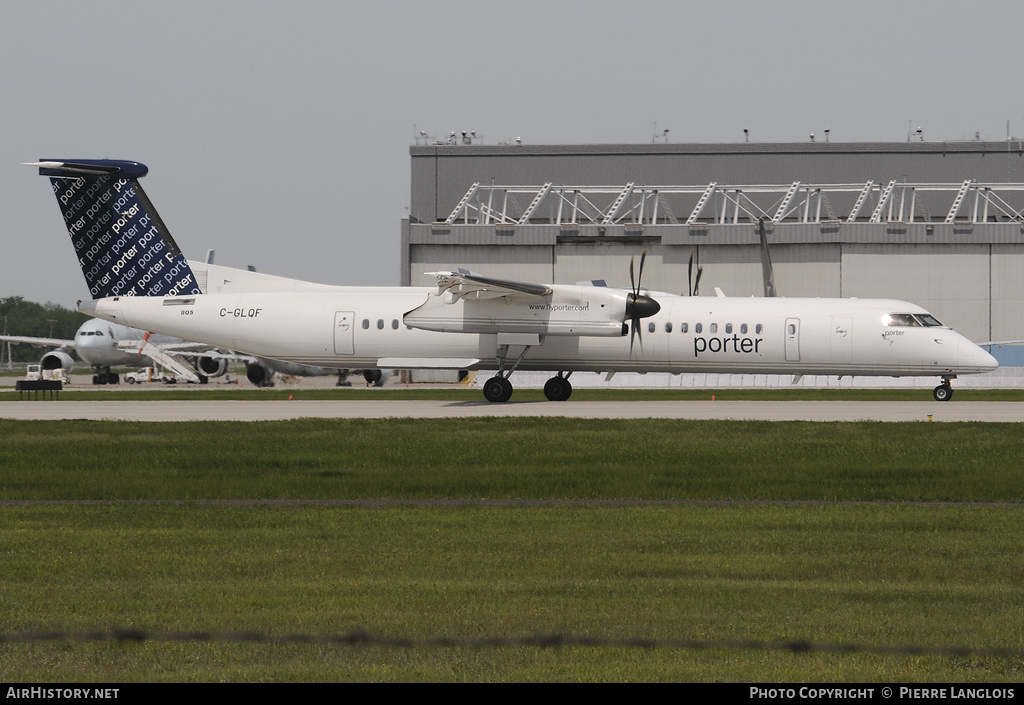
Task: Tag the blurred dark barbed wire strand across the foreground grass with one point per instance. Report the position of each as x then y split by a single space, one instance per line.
363 639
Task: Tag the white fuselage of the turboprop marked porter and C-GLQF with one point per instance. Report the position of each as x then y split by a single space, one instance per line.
362 327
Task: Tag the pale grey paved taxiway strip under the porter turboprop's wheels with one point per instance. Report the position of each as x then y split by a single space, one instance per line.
273 410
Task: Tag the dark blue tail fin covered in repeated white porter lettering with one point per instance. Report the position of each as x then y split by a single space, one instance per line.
122 244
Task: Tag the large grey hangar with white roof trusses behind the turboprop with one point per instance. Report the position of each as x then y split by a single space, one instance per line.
937 224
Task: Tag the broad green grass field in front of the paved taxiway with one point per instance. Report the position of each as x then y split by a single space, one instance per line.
880 536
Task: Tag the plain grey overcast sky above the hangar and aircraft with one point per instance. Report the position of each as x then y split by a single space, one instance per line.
279 134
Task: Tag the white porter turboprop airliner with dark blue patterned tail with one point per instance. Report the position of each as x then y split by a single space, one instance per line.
138 277
